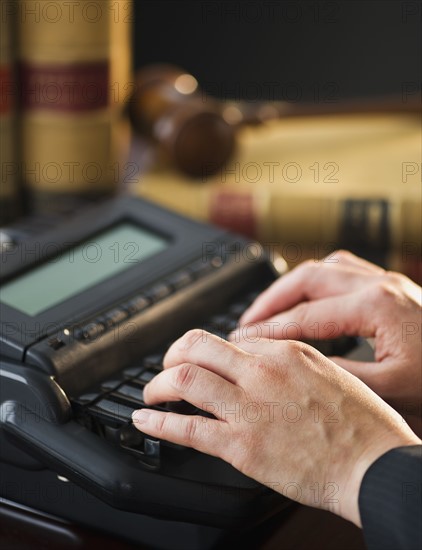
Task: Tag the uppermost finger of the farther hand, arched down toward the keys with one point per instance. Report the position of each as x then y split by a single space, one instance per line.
309 281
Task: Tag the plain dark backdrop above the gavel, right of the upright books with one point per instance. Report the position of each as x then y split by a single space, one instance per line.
298 50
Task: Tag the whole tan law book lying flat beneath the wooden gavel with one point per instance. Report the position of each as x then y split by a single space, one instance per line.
317 184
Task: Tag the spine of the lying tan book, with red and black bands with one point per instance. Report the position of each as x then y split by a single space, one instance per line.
302 224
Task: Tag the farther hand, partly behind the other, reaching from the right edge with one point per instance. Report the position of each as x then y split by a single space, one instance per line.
346 295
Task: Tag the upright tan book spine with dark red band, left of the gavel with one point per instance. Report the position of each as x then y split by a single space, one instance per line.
75 74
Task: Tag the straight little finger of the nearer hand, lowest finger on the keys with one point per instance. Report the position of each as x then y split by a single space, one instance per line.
204 434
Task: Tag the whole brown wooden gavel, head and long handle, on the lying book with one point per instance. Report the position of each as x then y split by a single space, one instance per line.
197 133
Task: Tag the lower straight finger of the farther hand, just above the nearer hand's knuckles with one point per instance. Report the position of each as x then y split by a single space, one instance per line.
320 319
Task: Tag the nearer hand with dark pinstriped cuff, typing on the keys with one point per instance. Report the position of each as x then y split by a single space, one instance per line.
285 415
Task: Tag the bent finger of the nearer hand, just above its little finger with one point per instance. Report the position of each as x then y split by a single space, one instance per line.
191 383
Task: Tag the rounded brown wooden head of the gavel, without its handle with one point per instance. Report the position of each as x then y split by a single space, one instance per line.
188 127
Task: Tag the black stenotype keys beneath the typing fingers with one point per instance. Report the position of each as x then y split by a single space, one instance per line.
107 407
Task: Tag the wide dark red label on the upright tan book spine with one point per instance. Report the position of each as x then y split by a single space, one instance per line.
71 88
